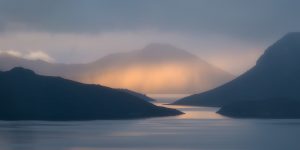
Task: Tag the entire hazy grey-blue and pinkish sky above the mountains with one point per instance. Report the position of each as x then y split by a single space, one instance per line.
229 33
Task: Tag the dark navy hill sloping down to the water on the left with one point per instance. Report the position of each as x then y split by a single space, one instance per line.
28 96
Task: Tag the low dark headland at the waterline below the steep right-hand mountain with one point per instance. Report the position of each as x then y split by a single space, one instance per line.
271 108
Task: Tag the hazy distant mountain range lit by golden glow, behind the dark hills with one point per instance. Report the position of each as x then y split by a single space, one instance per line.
155 69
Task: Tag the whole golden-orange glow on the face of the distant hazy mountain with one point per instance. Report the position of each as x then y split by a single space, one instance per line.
157 78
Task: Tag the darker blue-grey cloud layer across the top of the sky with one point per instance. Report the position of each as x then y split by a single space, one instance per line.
256 19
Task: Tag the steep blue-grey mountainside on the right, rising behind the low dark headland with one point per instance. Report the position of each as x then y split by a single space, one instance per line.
276 74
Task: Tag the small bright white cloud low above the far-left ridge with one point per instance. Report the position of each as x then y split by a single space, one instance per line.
31 55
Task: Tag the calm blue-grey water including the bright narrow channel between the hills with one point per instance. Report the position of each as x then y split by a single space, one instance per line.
198 129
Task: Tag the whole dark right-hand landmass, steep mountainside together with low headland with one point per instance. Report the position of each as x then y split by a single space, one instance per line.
269 89
